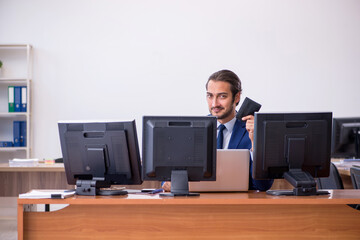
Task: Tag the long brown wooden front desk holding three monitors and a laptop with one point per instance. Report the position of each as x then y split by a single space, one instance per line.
252 215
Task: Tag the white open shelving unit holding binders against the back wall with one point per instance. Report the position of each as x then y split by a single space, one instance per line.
16 71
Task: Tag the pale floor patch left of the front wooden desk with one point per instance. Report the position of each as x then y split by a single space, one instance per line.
8 224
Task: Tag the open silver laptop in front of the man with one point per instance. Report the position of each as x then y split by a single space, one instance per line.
232 173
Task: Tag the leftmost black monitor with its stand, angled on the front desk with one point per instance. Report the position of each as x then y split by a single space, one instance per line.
100 154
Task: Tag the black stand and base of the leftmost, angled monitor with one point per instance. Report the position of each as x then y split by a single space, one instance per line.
92 188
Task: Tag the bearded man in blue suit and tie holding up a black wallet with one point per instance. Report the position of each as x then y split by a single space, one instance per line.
223 91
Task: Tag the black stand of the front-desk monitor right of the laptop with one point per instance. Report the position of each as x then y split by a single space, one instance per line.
304 185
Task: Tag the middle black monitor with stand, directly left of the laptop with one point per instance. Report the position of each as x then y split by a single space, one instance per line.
179 149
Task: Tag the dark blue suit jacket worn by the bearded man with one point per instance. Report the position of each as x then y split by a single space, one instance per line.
240 140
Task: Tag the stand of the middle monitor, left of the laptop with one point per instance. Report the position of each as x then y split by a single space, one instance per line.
179 185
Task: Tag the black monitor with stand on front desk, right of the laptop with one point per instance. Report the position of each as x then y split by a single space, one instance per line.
294 146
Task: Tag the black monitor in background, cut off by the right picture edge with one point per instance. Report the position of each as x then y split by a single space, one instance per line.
346 138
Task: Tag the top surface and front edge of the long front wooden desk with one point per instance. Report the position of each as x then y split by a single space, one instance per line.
251 197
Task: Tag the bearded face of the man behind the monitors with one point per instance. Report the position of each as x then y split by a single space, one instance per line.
220 100
